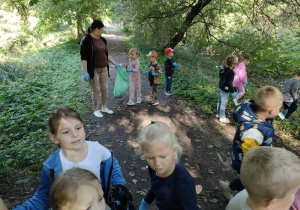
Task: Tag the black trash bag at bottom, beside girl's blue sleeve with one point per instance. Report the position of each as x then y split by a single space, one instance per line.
119 198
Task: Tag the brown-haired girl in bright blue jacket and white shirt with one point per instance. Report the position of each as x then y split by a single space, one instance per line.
67 130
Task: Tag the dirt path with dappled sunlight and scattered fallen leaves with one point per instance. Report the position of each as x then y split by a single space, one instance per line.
206 142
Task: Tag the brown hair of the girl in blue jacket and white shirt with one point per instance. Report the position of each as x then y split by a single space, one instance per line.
58 114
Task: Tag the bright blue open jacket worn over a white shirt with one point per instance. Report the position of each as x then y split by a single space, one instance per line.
52 167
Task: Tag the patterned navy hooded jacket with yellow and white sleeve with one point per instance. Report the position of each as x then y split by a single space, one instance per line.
261 133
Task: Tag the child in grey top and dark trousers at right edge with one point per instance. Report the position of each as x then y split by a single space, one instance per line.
290 94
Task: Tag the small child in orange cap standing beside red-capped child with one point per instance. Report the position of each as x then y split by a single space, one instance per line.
154 72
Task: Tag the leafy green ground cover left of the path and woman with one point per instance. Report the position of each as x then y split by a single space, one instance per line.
32 85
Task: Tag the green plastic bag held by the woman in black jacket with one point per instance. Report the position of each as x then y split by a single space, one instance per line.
121 84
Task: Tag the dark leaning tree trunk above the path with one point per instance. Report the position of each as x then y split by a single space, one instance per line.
195 10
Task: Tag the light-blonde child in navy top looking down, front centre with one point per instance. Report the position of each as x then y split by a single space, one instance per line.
172 186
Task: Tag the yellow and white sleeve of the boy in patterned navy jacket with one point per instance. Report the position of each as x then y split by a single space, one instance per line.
250 139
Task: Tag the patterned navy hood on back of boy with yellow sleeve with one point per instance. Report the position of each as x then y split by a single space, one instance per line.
244 113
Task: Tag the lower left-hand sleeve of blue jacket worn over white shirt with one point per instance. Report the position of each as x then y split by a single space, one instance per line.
41 199
